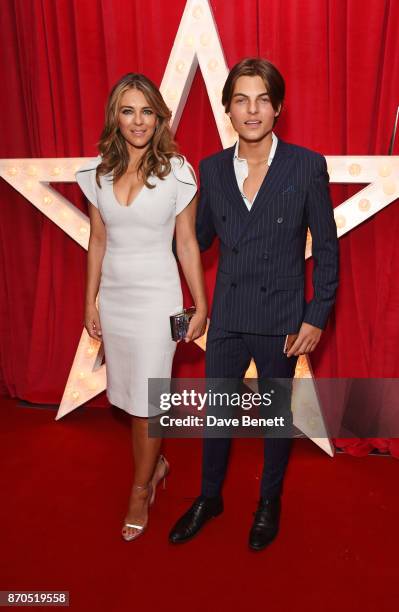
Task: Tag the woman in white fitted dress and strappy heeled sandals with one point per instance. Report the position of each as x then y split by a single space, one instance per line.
140 190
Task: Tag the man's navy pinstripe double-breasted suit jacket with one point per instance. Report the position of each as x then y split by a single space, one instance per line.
260 278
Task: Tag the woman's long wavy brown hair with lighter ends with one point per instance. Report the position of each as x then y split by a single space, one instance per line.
112 145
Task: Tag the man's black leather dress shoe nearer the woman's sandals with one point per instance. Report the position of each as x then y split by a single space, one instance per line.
203 509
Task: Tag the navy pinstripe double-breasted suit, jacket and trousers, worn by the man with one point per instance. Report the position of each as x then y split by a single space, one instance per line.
259 292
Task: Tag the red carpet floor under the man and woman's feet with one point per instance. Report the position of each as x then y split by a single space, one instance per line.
65 487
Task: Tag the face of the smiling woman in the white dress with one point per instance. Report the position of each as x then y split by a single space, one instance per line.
136 119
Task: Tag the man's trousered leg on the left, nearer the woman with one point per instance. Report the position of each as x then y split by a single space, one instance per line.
226 357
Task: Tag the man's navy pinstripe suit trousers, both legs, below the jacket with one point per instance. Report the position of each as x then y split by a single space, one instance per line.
228 355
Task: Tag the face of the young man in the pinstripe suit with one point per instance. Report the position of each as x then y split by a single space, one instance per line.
251 111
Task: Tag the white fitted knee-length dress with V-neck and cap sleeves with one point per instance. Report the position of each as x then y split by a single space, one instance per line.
140 284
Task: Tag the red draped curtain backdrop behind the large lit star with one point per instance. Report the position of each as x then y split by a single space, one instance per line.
58 62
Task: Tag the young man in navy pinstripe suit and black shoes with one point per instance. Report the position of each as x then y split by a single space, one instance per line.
260 197
